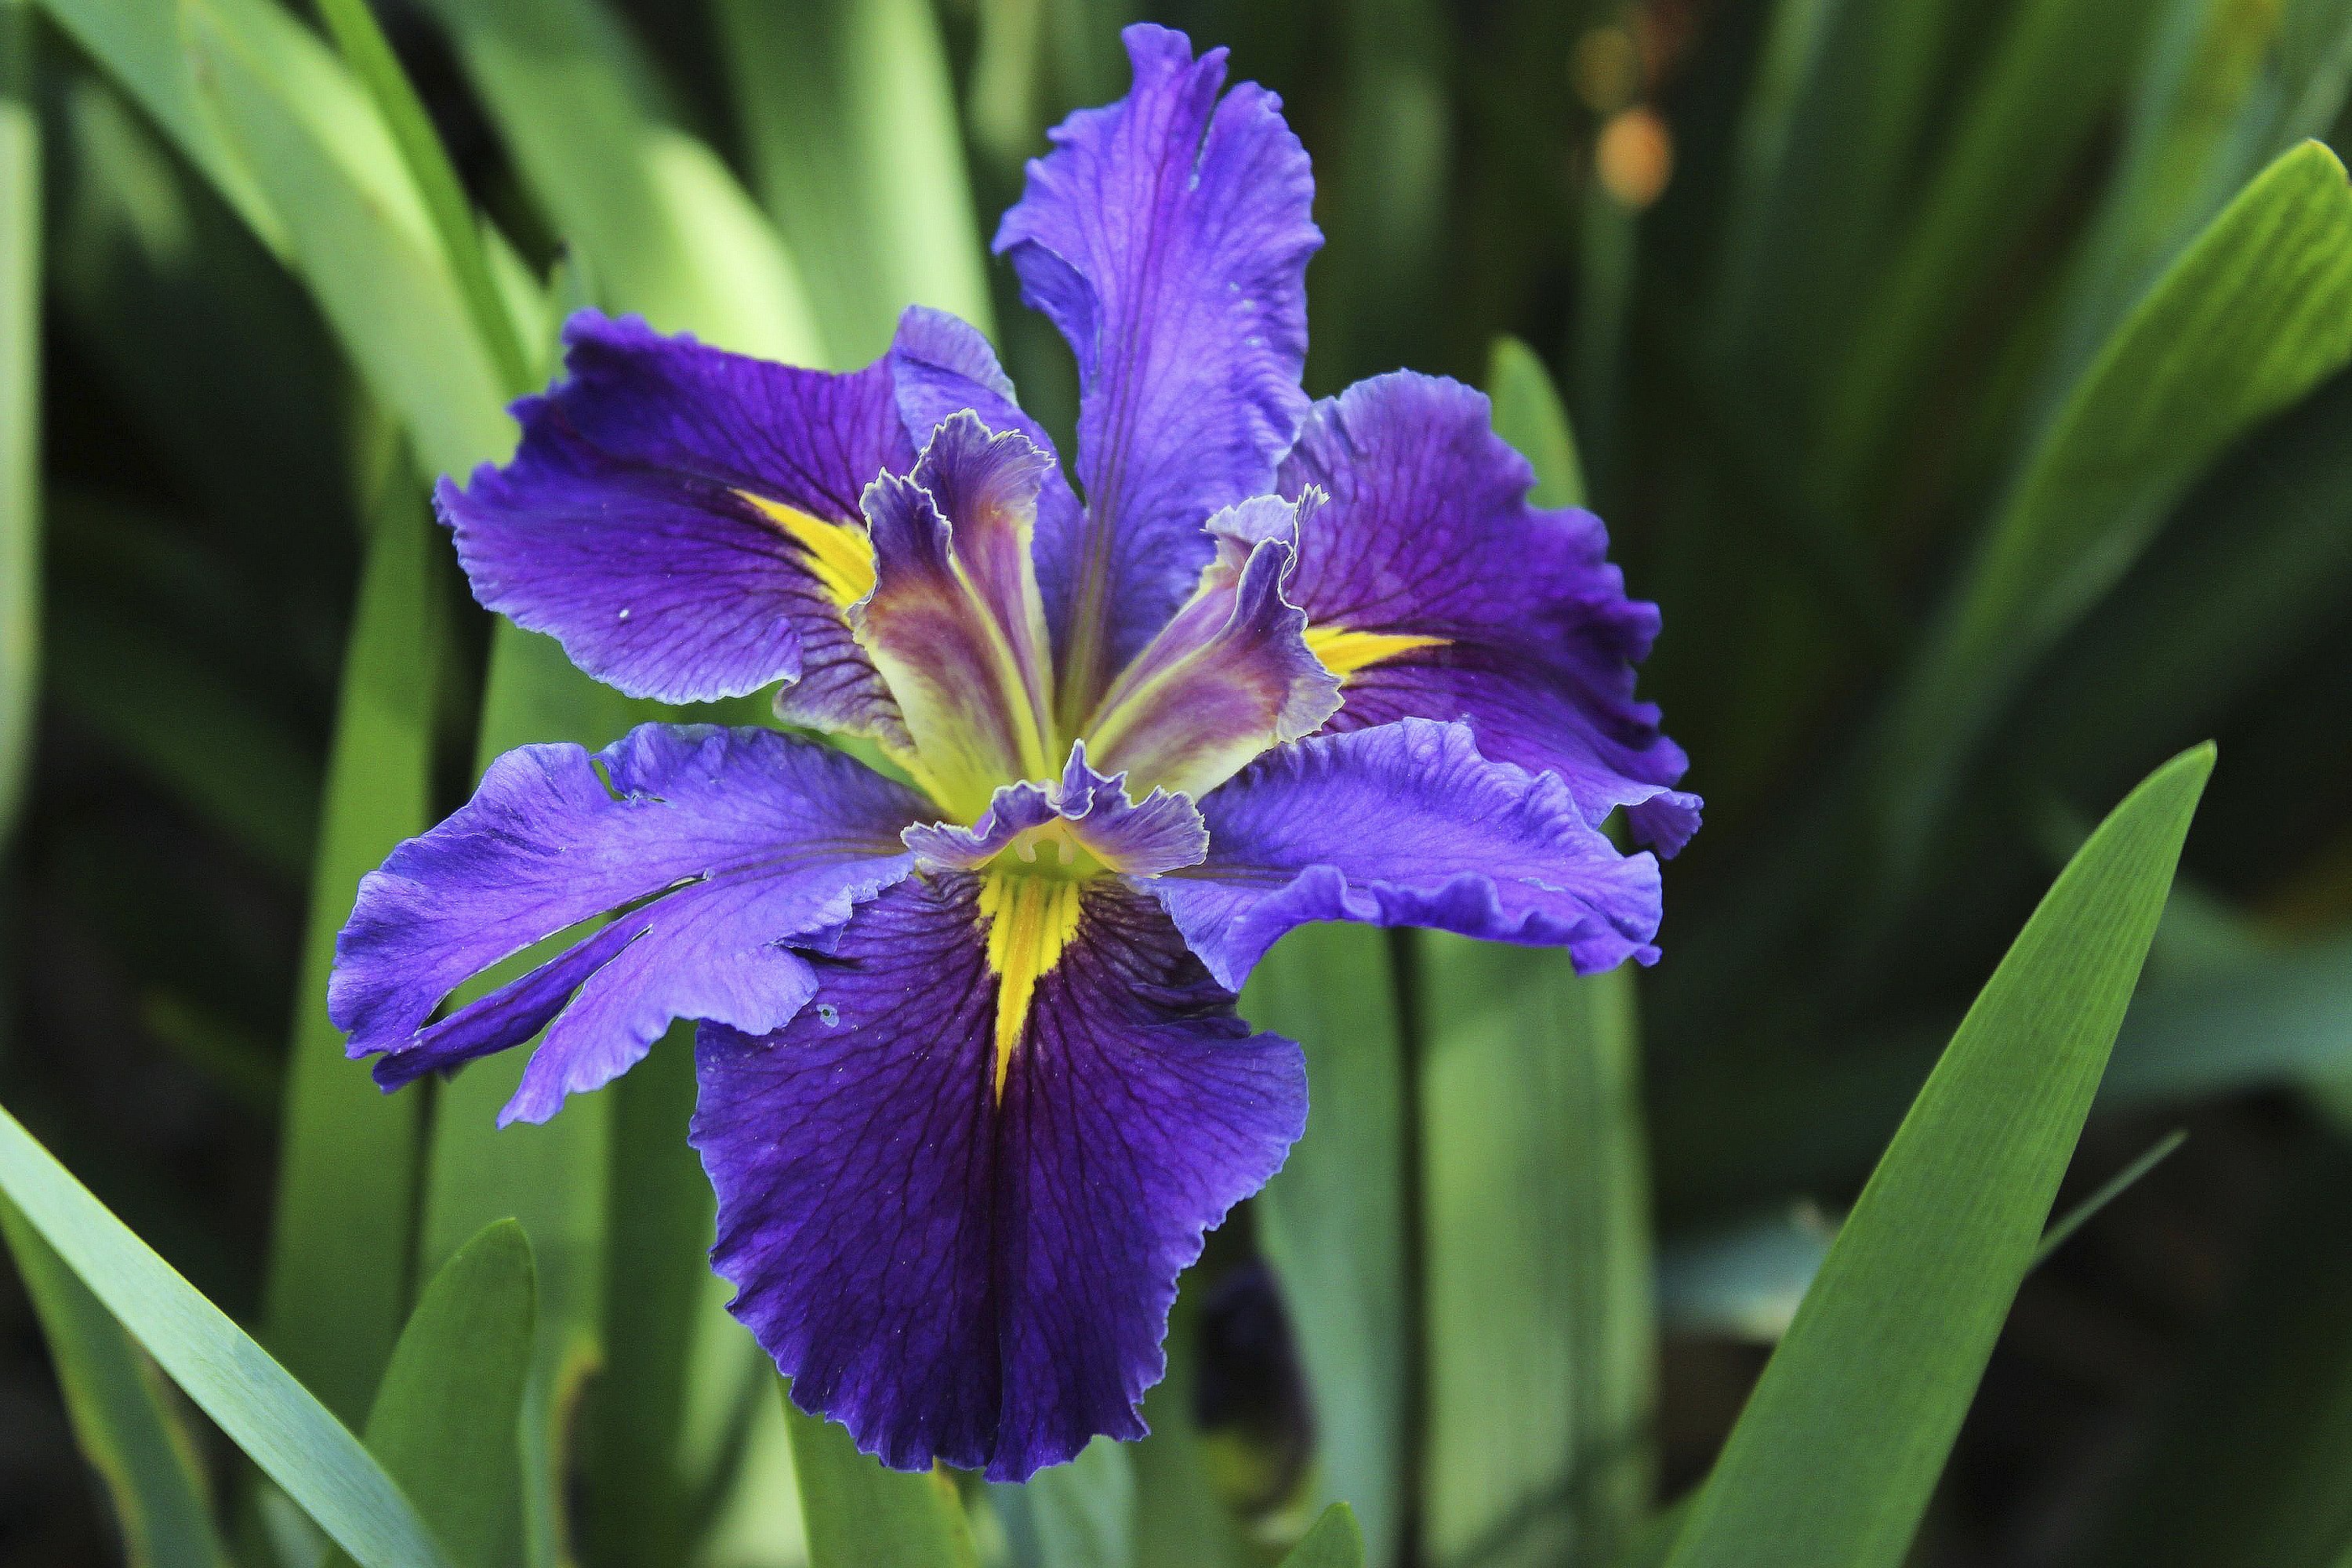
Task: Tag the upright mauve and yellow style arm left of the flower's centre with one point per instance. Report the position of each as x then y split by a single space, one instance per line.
954 619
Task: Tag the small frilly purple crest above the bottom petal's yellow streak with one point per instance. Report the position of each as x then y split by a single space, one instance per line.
1135 838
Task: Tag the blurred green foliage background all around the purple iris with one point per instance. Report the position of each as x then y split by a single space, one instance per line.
1965 382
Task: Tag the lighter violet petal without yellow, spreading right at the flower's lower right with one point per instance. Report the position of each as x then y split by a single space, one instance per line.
1408 826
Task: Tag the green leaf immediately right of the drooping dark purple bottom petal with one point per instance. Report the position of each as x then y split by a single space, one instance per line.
1332 1221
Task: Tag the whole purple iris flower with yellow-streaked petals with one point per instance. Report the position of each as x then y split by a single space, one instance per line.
970 1076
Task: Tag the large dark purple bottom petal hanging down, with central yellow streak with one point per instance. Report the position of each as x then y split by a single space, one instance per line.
970 1278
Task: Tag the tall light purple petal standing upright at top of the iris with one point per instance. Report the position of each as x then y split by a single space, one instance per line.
1168 236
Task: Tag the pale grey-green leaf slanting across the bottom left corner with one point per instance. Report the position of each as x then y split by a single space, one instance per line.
236 1383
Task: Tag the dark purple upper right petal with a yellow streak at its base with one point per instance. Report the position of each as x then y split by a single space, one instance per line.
1502 615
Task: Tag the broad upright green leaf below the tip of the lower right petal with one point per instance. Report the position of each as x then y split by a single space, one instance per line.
1539 1273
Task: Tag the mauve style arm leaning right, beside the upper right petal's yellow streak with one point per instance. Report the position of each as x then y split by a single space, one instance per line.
1231 674
